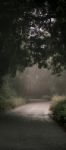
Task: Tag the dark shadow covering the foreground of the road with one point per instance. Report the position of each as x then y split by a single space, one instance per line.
19 133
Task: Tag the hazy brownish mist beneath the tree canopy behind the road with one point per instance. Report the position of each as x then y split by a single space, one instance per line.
38 83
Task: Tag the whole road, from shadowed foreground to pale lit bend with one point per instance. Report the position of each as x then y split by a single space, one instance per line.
30 128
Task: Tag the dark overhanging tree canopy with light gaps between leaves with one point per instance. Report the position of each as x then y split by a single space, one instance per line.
32 32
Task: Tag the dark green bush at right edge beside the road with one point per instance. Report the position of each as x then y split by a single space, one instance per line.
59 112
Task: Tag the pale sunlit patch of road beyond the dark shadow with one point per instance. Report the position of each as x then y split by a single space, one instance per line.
35 110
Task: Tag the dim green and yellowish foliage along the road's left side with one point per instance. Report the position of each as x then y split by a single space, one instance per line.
8 97
